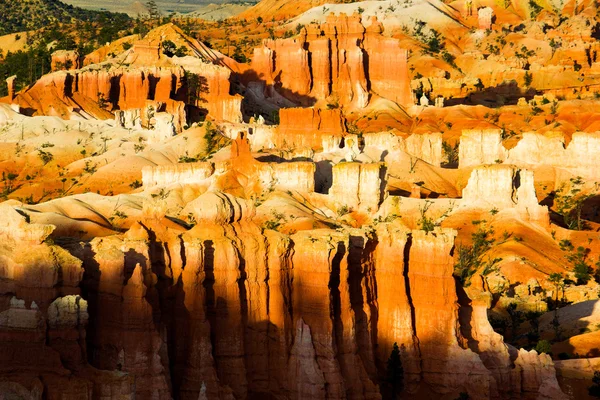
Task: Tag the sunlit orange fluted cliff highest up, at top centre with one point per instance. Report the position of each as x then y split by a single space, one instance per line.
340 59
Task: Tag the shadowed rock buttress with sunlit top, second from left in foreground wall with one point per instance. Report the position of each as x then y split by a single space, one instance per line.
123 335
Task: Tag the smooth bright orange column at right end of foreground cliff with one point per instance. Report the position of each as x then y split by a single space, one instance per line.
444 363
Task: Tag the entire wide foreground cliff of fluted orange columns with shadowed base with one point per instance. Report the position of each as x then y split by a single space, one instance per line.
228 310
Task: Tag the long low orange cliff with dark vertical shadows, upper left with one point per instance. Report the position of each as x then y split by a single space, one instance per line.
99 92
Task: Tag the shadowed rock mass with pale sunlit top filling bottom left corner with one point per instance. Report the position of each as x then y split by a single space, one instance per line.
43 320
